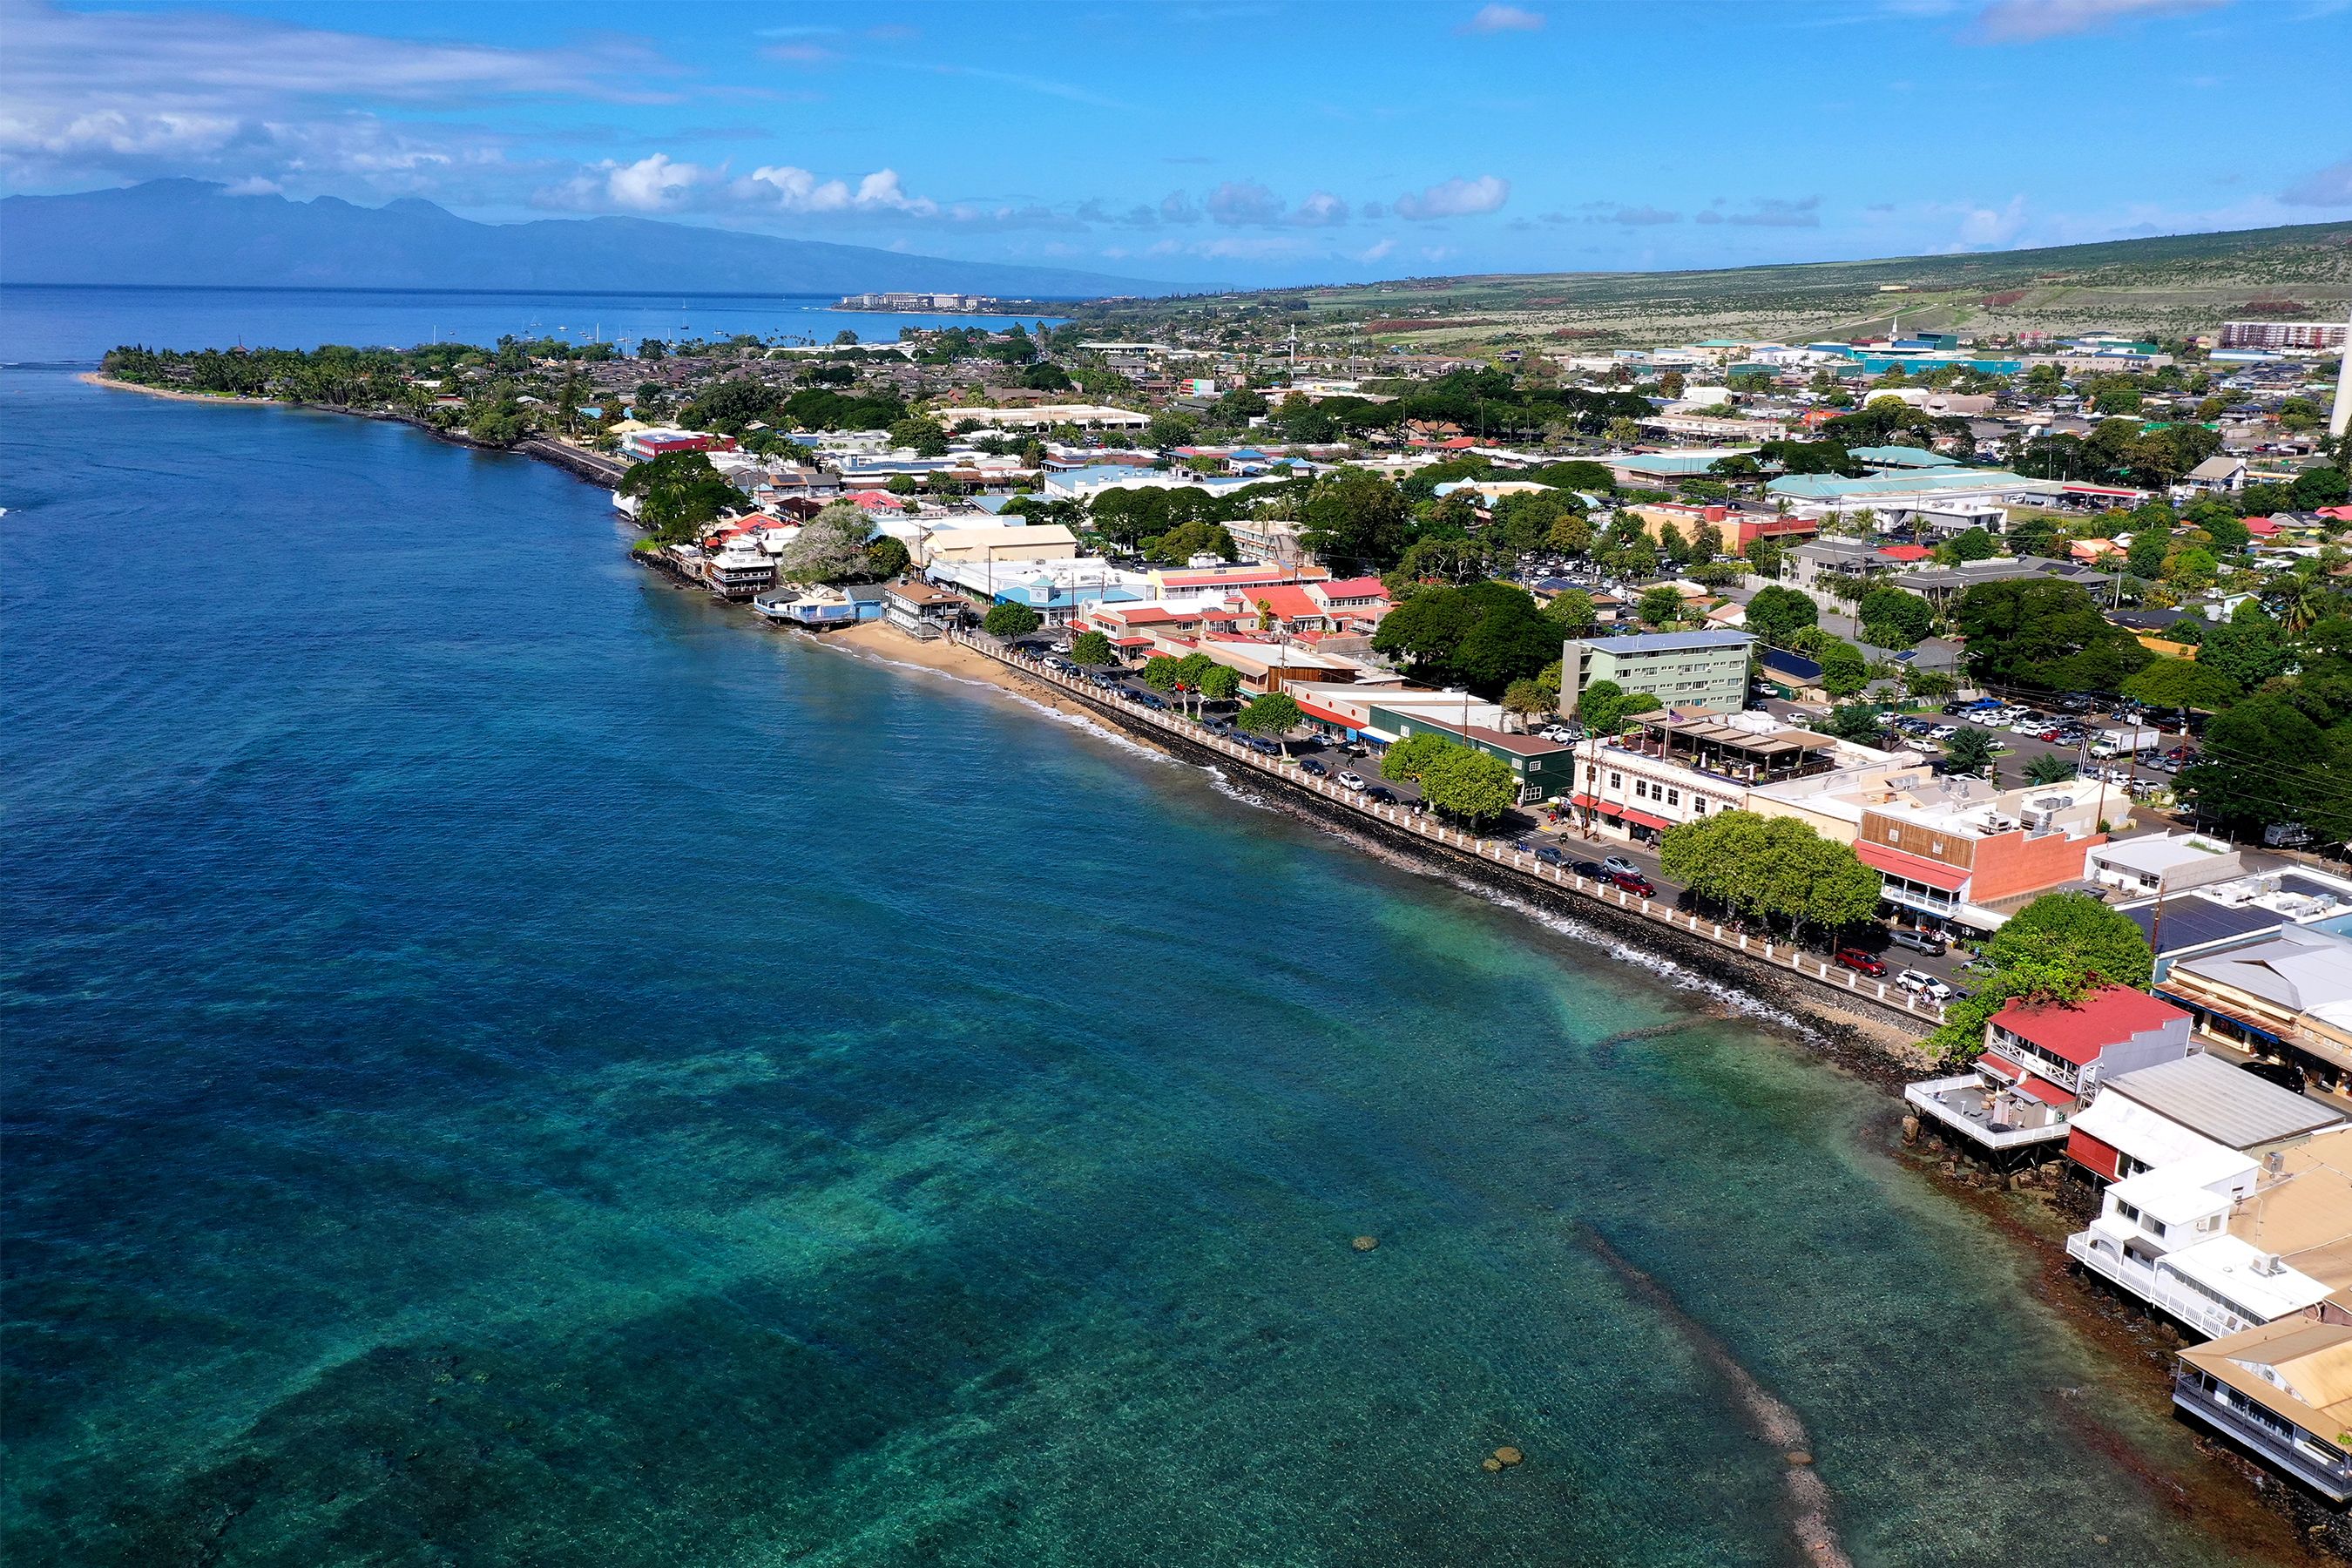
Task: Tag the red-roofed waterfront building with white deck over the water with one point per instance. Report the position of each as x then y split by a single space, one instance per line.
2045 1061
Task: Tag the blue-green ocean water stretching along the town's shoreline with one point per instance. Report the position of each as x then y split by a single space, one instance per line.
514 1064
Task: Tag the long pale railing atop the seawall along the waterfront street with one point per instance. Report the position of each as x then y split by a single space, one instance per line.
1485 850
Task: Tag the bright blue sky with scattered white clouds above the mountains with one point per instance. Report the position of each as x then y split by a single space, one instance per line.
1210 142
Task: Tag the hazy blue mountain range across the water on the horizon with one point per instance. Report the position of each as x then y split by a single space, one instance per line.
194 234
